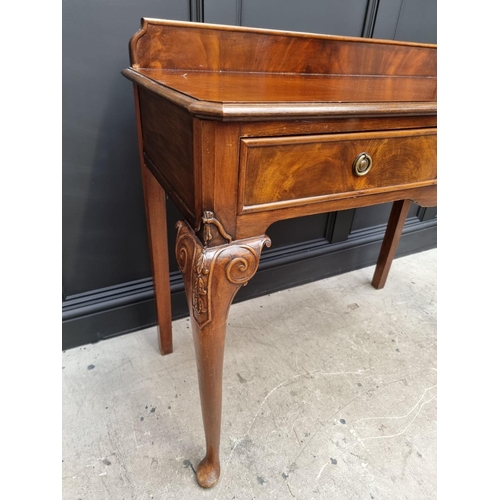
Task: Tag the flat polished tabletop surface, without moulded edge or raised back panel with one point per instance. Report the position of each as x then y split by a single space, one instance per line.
251 87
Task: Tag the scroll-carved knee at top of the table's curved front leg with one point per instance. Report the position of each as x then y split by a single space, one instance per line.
215 273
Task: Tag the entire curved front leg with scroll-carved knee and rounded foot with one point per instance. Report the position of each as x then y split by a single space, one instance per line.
212 276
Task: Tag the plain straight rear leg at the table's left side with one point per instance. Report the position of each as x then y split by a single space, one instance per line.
156 218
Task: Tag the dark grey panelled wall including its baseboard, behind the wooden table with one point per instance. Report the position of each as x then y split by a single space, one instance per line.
106 272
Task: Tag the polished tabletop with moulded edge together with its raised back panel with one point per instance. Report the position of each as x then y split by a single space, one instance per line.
235 73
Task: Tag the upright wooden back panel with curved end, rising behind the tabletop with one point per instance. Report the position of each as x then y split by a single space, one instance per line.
208 47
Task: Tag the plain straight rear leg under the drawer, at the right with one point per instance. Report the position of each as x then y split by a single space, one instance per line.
391 240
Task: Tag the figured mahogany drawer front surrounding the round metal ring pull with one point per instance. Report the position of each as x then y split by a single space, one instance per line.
284 171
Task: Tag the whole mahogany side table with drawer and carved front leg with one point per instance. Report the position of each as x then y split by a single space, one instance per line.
243 127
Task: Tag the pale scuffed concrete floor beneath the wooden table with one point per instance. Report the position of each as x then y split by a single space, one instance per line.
329 393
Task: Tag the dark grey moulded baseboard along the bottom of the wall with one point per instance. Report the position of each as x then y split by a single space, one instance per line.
105 313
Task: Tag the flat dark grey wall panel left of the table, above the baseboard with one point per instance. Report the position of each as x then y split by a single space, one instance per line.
104 236
